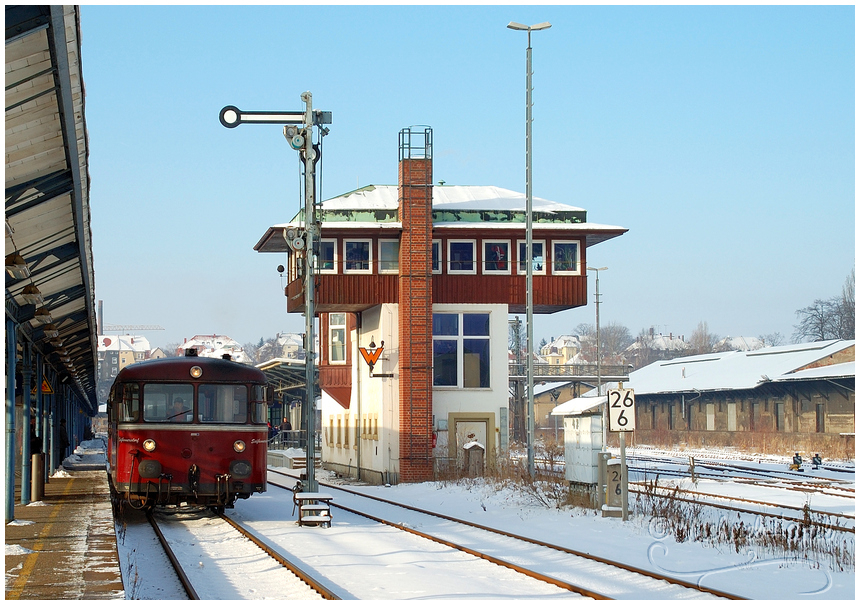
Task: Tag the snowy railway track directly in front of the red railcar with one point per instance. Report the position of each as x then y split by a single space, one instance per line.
189 552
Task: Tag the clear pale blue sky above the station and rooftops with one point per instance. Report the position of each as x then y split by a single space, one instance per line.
722 137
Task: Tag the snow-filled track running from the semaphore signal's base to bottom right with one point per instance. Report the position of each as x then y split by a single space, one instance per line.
581 566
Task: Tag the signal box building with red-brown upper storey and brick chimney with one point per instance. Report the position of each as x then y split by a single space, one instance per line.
414 287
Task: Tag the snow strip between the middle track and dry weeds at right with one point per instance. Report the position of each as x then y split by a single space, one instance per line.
638 542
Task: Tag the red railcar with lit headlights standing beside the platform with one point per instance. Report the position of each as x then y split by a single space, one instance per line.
188 429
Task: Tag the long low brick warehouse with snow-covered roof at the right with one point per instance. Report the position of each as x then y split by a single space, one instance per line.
780 398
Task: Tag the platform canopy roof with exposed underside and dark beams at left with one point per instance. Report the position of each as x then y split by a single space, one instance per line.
51 295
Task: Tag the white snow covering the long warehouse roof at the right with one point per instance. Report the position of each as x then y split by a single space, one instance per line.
732 370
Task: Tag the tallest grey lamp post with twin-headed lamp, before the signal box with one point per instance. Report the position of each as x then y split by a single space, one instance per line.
529 252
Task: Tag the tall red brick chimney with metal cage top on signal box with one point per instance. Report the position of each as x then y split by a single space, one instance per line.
415 201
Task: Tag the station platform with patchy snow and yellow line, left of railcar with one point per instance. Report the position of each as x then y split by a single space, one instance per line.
64 545
